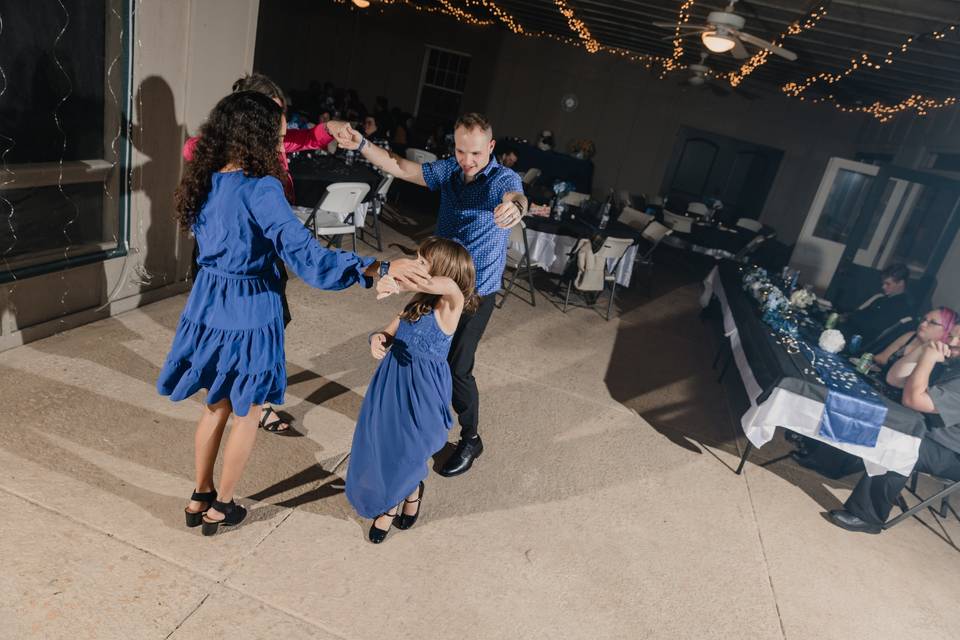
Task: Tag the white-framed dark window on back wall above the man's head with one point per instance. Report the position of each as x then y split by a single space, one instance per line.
443 80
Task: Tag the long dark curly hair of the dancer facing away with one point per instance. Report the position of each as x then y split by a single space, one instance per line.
243 129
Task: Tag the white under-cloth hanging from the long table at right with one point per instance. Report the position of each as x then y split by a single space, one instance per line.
894 451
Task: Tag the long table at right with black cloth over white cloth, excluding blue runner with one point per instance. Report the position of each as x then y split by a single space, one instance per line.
784 391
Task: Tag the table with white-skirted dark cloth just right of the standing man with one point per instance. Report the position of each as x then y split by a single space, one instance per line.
551 242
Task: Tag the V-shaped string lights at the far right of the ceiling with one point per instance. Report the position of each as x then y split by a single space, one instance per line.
918 103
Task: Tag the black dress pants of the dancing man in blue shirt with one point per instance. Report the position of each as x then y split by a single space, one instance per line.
463 348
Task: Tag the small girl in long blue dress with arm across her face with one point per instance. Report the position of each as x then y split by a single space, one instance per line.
406 414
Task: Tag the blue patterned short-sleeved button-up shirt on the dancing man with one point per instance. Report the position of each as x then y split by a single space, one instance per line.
466 214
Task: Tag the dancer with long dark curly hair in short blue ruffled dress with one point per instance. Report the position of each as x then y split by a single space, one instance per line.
230 337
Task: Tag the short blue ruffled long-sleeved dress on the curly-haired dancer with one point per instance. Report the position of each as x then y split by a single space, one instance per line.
230 336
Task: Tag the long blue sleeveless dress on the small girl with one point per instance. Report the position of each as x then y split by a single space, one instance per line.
404 418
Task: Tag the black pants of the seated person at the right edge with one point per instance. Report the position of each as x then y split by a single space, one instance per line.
873 497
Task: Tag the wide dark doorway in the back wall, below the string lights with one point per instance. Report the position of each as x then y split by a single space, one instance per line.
705 165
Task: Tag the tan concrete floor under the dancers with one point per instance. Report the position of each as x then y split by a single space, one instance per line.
604 506
